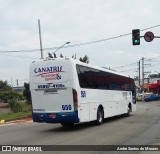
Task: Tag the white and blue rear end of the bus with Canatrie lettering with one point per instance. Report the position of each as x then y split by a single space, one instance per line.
54 99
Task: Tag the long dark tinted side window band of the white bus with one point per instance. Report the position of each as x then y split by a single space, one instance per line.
97 79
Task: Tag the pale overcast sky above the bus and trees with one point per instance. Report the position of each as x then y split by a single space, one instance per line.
78 22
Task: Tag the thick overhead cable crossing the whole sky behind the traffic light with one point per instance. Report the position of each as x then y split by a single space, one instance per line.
80 44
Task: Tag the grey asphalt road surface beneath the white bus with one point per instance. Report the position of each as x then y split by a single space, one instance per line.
141 128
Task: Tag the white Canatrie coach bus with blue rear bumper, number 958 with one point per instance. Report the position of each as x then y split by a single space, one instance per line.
68 91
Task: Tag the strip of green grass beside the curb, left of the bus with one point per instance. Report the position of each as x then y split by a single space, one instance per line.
13 116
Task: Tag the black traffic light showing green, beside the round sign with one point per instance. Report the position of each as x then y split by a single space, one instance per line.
136 37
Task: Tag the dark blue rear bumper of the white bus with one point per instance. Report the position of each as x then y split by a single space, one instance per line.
67 117
